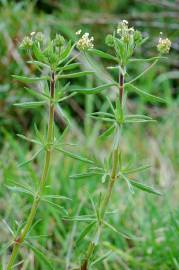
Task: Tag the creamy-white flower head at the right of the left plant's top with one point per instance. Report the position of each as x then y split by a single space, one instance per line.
85 42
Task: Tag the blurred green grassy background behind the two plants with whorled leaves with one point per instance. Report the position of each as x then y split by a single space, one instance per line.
155 221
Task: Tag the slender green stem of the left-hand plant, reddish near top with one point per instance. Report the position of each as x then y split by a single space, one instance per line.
20 239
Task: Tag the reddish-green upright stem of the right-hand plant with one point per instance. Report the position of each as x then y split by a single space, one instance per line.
113 177
